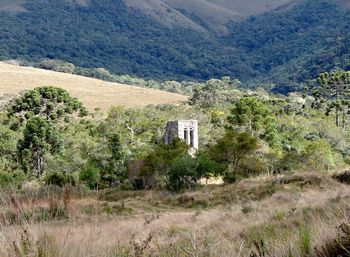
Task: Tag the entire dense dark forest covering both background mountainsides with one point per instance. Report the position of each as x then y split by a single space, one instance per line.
284 47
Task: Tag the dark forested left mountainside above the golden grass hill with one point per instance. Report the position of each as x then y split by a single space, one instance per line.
108 42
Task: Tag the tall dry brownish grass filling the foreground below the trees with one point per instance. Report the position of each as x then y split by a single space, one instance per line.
292 221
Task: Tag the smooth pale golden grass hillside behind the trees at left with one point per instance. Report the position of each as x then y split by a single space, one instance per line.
92 92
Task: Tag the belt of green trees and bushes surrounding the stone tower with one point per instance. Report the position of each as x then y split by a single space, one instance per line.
290 135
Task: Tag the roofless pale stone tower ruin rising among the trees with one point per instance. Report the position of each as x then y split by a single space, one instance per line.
187 130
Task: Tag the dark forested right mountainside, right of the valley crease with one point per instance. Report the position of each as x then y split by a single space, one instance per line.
288 47
